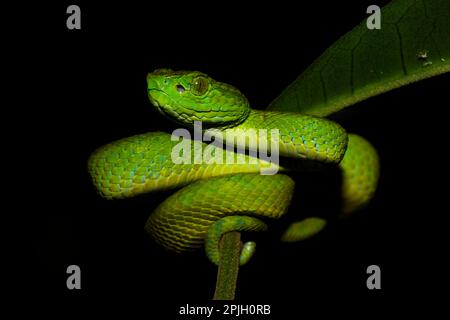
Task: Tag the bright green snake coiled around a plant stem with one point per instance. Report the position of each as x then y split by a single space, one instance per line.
216 197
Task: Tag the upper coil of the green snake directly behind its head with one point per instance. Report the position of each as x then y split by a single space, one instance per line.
292 135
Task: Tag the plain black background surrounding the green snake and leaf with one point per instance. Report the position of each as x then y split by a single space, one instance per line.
89 89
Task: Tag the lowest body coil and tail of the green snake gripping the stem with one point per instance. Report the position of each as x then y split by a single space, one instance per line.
182 222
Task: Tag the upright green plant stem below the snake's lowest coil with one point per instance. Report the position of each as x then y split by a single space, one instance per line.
230 251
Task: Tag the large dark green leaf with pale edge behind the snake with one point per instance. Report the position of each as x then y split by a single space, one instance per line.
412 44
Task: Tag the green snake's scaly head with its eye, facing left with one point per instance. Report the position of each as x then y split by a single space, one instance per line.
188 96
